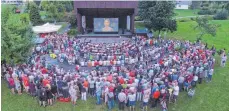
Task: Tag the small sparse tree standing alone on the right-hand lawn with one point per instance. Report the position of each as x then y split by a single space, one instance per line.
205 27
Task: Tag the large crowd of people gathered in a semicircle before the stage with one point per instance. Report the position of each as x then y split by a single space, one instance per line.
151 71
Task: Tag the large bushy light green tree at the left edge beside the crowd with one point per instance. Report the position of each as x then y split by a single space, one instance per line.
16 38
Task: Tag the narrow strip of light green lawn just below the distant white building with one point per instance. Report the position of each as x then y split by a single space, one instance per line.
185 13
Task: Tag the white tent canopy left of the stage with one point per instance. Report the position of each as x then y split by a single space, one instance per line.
46 28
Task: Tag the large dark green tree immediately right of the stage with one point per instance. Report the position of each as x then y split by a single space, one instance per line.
157 15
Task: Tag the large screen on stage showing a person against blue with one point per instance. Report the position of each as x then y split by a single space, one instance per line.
105 24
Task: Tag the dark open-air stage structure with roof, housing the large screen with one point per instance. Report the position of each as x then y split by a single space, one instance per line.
105 18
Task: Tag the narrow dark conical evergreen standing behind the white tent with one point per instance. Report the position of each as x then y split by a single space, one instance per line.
34 14
